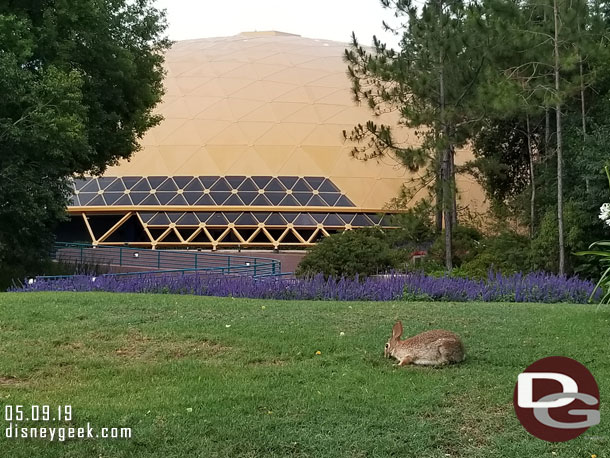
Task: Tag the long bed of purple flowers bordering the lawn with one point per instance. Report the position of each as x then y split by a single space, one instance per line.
531 287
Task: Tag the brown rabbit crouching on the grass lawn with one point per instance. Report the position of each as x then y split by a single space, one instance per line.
430 348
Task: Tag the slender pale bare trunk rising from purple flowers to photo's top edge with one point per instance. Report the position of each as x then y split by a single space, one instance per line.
559 145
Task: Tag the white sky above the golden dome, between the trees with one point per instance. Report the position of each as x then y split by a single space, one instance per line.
329 19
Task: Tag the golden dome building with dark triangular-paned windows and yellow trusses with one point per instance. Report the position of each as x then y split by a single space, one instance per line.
250 153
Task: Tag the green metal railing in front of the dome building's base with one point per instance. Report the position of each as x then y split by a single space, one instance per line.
138 261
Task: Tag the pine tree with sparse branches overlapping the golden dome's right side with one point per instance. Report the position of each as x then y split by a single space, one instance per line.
431 82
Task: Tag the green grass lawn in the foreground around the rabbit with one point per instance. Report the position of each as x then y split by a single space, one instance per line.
211 377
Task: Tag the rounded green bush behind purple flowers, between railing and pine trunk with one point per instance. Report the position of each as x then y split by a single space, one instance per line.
359 252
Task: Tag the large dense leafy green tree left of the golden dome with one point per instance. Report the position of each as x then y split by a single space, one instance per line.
79 82
